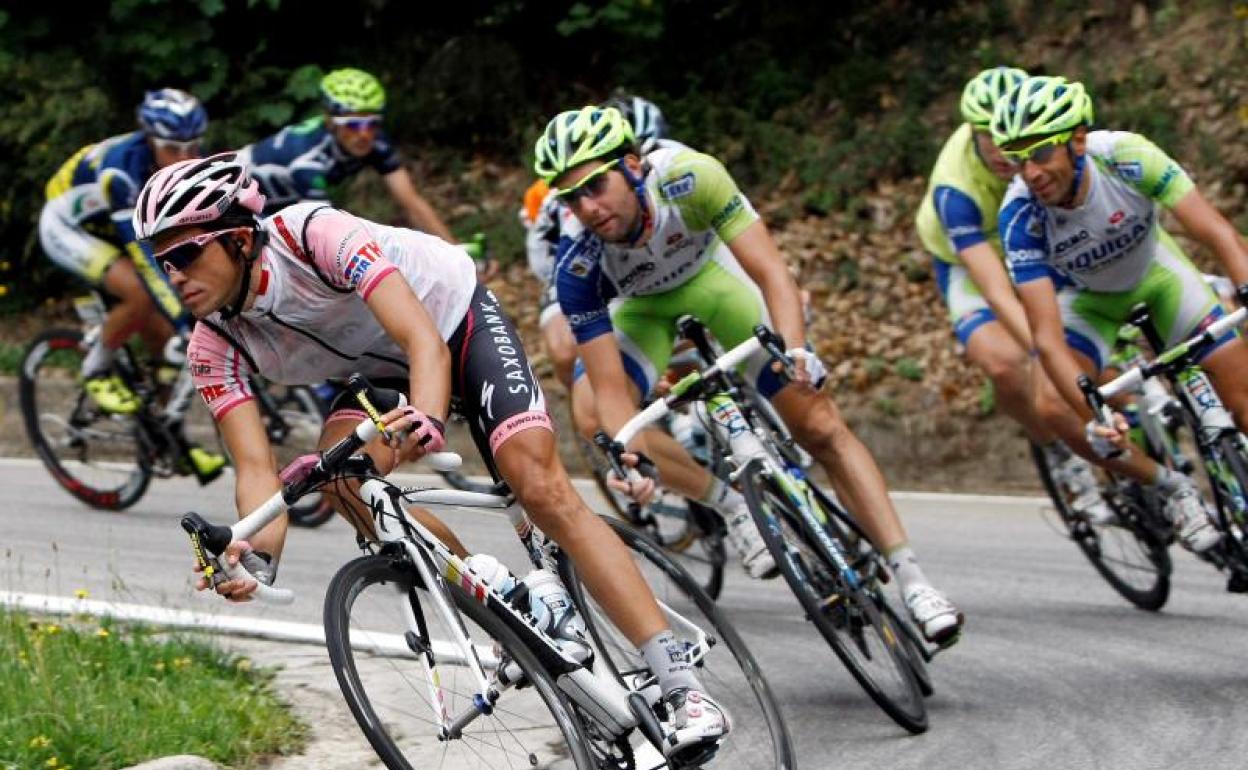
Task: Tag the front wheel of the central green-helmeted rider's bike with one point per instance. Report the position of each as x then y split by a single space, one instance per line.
848 617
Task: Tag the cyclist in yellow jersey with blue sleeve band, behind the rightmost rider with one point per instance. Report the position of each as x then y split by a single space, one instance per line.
958 224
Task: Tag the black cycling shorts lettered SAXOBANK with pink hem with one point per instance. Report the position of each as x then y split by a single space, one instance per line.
491 380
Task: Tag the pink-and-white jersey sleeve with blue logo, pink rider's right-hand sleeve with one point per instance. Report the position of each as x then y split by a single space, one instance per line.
345 253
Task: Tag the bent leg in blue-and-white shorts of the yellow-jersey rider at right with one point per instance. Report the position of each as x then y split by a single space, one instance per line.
990 348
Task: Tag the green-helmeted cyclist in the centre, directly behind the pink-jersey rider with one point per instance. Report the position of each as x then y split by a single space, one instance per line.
673 235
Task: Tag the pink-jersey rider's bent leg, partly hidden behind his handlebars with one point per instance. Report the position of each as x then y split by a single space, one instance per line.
343 420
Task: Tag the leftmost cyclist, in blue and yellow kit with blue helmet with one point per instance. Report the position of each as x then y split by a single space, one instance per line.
85 230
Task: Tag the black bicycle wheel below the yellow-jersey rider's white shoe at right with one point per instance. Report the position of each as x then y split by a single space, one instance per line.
1130 555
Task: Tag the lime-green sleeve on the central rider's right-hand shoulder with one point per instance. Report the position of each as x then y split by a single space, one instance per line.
707 197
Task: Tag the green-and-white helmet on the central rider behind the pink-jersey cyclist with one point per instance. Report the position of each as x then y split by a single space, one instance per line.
577 137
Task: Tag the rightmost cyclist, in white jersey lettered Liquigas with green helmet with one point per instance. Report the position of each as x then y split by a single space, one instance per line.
1084 244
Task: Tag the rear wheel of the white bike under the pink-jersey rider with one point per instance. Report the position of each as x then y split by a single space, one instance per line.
759 738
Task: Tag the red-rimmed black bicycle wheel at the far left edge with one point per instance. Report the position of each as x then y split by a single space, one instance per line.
94 456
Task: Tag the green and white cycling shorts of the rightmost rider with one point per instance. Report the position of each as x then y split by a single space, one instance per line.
1179 299
